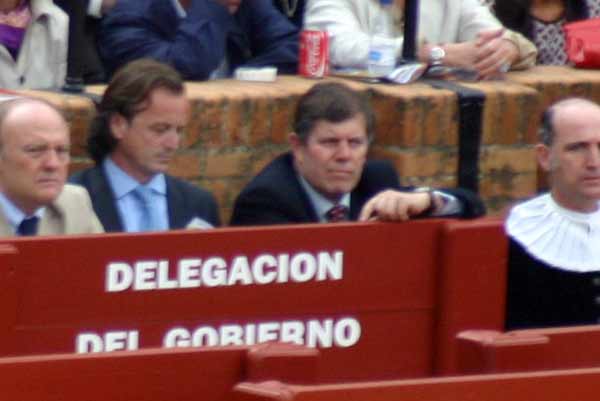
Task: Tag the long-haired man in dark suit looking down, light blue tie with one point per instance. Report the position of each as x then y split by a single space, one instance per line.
135 134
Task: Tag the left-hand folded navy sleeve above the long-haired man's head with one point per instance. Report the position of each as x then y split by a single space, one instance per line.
194 45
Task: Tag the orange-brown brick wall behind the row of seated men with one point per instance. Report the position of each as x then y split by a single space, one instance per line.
237 127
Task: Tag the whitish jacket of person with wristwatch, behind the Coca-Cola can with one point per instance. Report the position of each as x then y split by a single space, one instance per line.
350 24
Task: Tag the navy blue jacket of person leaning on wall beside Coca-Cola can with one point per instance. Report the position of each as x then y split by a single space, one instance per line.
256 35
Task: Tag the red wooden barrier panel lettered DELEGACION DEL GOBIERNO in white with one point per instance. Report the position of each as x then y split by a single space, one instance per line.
342 289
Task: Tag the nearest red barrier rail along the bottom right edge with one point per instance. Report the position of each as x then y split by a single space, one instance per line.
564 385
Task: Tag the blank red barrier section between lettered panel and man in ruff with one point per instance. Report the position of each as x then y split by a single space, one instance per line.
471 287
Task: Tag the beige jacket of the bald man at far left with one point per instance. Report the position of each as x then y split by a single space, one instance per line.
71 213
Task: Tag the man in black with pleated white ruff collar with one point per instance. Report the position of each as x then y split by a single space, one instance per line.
554 260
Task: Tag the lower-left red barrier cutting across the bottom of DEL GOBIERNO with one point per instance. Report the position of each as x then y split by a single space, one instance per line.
147 375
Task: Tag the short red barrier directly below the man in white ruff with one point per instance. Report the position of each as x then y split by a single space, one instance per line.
531 349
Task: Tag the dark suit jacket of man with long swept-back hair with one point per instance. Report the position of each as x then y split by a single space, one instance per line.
184 200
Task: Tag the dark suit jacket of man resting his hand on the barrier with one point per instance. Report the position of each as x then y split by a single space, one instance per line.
275 196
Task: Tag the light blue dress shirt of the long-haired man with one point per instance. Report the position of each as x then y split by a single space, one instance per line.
128 205
